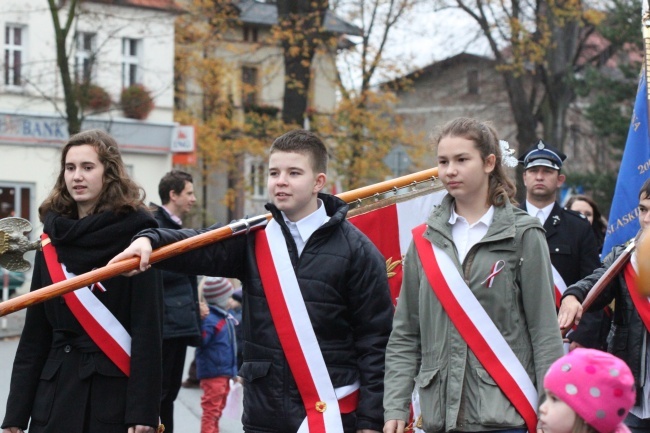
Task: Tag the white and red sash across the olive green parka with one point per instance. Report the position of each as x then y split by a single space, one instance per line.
477 328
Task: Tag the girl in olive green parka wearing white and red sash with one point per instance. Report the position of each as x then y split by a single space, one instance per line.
478 259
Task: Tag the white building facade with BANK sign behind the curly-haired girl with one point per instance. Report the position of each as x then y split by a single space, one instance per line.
113 47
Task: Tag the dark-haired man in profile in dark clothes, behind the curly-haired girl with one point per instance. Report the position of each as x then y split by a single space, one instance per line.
181 326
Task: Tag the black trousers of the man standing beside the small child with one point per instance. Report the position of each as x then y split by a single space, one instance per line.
173 354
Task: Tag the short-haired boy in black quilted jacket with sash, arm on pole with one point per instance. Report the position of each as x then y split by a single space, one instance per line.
316 310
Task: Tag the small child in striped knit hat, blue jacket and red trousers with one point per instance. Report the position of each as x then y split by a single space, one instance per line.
216 357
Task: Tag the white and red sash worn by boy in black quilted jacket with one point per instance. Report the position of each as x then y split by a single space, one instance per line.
323 403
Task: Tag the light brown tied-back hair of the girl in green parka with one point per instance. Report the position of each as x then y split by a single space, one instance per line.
486 141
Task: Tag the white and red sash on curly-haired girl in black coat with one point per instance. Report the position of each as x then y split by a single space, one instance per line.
97 320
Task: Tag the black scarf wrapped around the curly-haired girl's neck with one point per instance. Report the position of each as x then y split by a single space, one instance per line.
88 243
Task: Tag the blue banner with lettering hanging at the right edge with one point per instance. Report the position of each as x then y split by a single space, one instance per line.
635 169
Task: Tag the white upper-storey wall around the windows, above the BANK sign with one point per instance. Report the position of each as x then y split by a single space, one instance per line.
110 24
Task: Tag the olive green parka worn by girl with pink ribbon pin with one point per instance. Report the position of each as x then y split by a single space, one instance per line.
426 351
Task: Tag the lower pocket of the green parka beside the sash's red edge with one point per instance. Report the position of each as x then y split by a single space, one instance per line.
494 408
